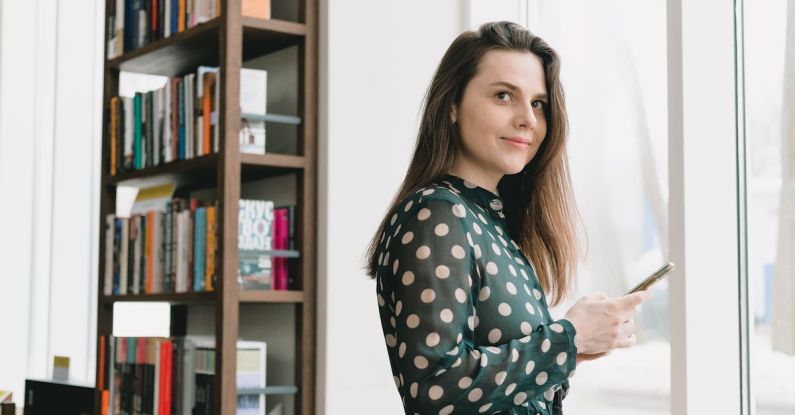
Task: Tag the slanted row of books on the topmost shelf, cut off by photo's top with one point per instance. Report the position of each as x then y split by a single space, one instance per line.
134 23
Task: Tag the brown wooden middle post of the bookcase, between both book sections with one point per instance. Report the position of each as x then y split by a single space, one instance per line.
227 309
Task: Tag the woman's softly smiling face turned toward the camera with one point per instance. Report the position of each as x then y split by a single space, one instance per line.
501 115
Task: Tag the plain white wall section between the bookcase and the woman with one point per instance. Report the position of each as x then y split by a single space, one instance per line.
376 61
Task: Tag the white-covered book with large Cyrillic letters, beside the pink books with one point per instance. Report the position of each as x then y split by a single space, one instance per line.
255 233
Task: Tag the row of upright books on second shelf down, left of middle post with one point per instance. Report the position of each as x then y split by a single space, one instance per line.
176 122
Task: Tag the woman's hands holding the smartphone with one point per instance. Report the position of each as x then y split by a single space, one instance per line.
603 324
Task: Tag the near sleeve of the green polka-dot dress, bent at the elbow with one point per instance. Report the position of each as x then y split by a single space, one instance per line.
431 267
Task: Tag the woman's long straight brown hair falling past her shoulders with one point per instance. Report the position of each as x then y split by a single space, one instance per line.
539 204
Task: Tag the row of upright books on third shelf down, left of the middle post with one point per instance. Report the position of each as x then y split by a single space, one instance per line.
163 251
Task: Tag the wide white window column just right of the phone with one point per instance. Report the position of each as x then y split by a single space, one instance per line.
703 177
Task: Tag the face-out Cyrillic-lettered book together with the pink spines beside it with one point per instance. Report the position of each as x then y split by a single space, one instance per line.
266 243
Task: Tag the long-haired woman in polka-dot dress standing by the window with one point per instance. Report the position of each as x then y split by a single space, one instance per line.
481 231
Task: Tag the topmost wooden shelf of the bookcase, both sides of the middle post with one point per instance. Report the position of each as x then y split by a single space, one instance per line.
199 45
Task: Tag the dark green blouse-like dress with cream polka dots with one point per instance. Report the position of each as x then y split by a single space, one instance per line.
464 317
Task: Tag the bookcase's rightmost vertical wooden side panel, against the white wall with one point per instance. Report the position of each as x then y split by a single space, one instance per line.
308 210
